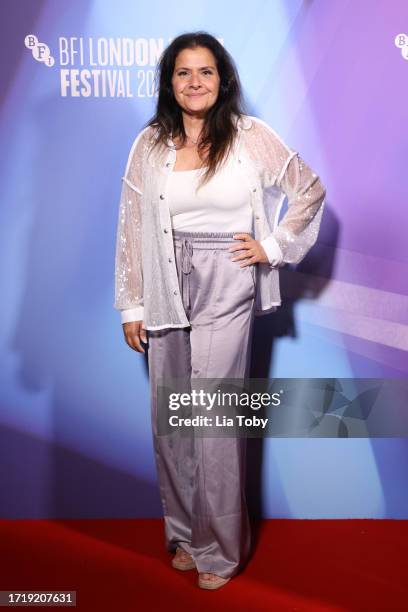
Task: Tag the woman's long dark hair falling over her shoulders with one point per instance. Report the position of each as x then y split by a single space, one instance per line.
219 128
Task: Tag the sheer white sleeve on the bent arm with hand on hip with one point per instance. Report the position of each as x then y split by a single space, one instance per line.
283 168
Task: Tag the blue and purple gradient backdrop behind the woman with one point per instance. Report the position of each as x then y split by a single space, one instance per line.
74 405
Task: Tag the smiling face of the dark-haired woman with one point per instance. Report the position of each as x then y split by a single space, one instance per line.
195 81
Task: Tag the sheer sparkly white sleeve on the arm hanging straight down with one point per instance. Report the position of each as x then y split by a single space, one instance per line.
128 256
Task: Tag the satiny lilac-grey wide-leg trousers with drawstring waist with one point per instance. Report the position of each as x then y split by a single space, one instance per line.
202 479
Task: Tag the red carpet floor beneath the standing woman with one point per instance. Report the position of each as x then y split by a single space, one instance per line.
121 565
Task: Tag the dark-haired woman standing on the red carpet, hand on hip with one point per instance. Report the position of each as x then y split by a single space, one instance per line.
197 257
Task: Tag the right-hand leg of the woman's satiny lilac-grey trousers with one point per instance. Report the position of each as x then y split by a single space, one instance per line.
220 348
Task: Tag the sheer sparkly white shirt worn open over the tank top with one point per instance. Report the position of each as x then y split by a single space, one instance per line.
146 283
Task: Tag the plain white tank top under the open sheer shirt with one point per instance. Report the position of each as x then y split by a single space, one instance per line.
221 205
